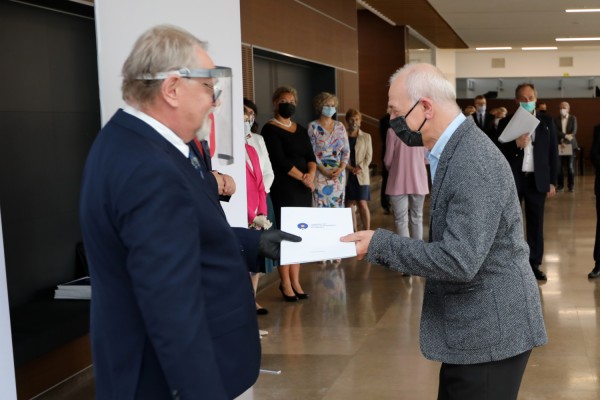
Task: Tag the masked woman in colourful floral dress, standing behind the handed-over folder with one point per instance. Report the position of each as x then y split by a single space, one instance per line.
332 151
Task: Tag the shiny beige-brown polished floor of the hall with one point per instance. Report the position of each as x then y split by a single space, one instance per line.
357 335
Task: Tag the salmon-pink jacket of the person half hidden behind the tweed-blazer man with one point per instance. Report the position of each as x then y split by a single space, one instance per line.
406 167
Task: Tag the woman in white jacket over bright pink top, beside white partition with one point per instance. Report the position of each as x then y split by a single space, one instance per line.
259 174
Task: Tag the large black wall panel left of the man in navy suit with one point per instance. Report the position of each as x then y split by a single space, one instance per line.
49 116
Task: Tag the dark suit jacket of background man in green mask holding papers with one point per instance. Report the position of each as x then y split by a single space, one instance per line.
545 155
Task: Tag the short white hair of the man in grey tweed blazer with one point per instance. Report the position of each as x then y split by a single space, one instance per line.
426 80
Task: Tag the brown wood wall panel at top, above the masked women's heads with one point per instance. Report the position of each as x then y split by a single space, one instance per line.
293 28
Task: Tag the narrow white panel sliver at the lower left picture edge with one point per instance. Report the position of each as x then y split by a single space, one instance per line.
8 389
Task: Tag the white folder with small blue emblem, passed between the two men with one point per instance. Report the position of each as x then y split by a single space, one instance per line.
320 230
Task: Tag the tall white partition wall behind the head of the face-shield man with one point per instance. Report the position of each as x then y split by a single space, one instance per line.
119 23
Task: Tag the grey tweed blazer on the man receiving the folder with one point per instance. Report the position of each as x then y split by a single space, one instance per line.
481 300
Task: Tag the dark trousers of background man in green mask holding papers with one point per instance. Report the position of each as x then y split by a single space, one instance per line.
534 218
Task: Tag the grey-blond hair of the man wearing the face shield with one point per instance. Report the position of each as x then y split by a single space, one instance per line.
159 49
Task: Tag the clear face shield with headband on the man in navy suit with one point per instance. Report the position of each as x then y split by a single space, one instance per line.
217 127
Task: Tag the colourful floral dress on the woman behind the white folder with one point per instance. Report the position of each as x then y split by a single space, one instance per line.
331 150
